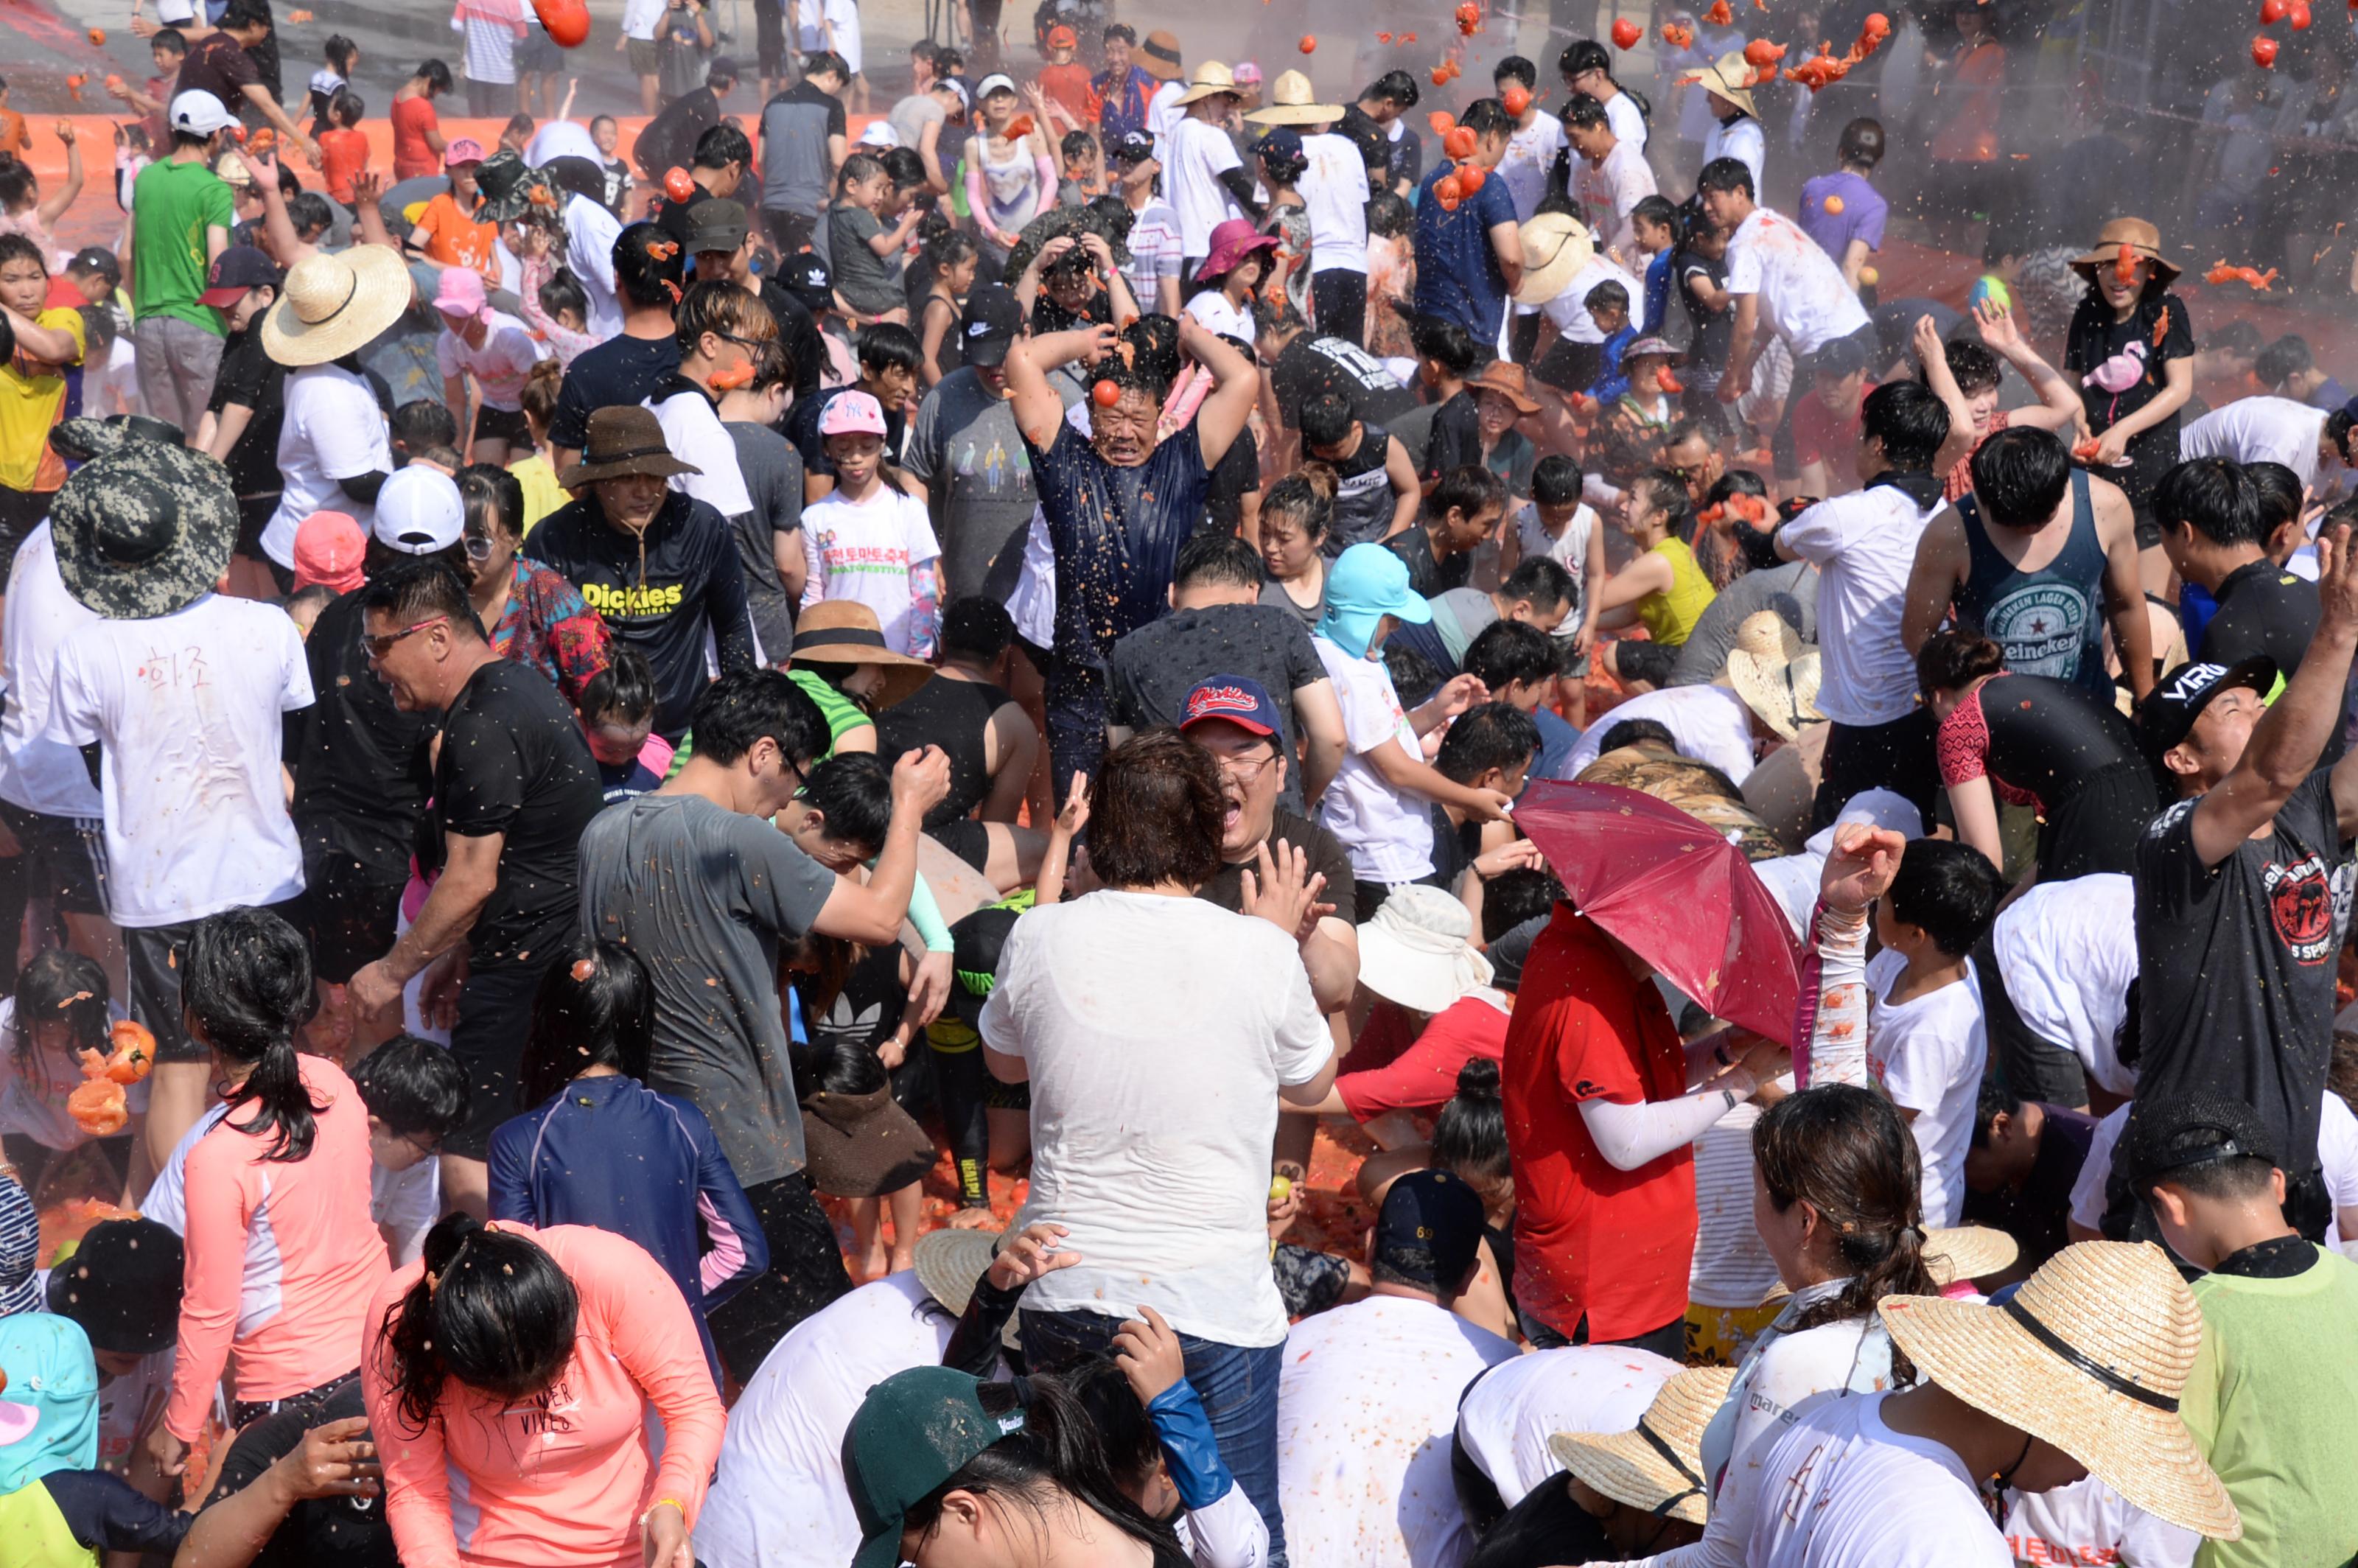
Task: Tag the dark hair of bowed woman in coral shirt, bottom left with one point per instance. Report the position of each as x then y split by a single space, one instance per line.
492 1310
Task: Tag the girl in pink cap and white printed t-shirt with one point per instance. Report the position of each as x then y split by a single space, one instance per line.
869 541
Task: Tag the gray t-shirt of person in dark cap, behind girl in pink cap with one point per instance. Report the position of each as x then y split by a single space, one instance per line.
973 461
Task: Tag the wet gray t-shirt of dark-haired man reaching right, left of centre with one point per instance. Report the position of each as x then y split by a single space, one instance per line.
704 897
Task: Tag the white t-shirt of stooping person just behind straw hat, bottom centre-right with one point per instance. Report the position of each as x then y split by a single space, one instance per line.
1520 1404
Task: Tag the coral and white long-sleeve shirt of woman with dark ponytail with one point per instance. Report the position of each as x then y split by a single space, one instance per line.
282 1258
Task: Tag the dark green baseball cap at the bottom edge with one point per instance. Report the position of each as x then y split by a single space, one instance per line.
914 1432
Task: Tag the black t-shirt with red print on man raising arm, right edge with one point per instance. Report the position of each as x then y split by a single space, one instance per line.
2237 966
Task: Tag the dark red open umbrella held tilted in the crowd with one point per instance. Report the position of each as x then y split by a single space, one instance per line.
1675 892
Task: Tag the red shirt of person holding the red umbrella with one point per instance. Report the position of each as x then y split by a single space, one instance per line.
1590 1239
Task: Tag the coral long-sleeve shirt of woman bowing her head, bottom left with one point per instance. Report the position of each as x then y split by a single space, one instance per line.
555 1482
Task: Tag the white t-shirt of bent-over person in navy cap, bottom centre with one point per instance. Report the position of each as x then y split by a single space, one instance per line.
1366 1409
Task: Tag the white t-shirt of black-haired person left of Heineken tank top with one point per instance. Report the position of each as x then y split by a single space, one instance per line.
1864 548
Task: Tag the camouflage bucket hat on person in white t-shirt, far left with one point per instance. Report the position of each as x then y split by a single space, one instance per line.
145 529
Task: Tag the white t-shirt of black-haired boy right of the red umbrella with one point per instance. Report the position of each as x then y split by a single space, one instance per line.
1928 1058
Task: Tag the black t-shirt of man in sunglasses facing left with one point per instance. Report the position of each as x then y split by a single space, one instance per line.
515 763
